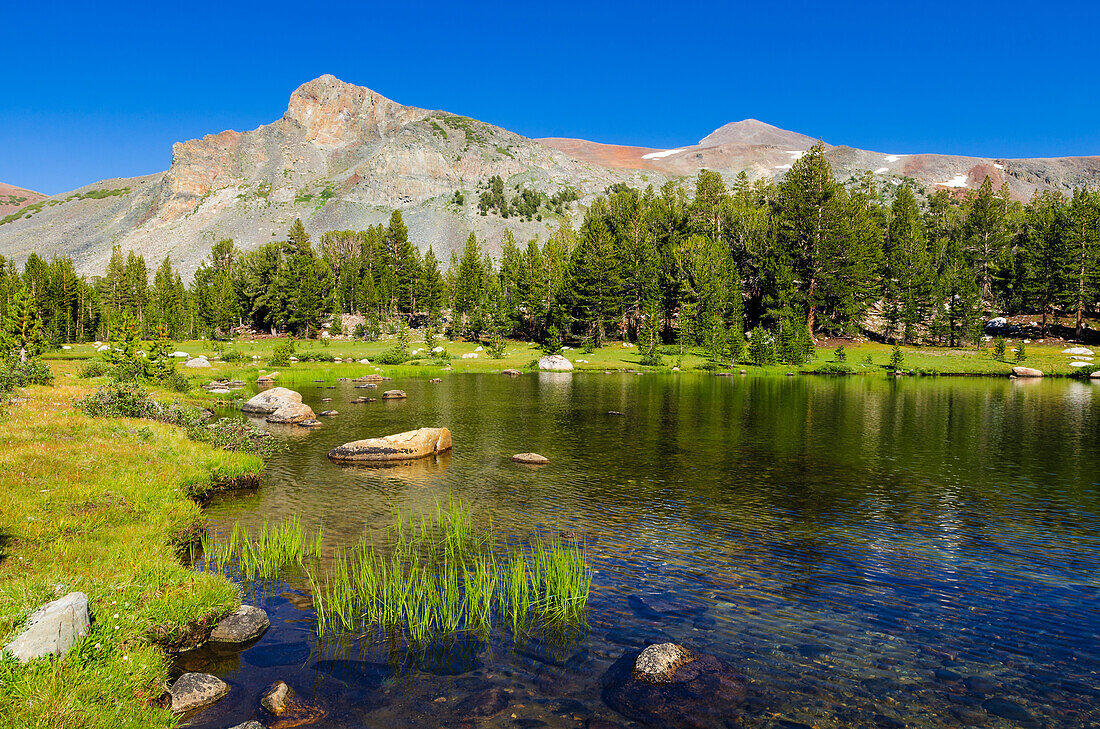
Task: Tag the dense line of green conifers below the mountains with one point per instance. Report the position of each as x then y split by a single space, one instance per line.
795 260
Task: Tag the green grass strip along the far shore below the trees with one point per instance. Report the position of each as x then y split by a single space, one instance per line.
613 357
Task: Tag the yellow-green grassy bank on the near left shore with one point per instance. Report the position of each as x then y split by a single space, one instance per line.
103 507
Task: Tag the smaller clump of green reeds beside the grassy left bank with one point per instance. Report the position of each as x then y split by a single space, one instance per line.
261 557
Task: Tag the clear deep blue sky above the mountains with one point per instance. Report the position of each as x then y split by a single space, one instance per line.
95 91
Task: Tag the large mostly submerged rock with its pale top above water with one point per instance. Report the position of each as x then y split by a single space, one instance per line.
703 692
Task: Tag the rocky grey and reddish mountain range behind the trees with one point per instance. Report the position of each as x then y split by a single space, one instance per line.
345 158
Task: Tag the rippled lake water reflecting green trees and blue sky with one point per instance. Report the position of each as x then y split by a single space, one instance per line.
867 553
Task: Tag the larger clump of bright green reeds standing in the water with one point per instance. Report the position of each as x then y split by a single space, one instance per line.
445 577
